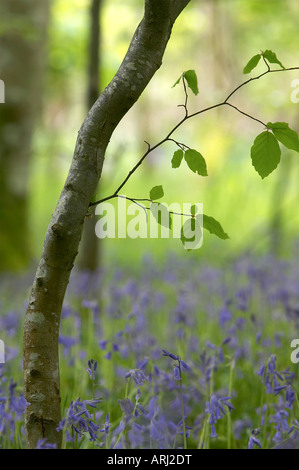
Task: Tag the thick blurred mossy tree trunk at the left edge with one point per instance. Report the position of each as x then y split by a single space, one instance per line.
22 63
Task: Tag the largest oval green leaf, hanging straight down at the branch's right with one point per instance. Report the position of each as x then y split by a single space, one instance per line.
265 153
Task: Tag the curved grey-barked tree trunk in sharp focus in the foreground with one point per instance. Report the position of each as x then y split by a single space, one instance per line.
41 329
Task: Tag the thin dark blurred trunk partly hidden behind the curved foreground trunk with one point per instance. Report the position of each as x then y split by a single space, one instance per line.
90 244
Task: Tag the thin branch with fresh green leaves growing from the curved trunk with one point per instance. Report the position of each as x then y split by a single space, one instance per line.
265 151
